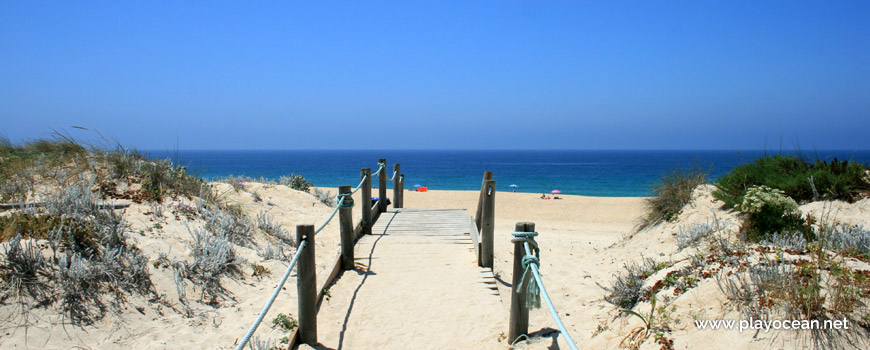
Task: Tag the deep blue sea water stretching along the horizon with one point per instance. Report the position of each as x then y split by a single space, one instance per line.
589 173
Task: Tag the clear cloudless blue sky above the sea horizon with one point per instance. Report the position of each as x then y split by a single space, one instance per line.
441 74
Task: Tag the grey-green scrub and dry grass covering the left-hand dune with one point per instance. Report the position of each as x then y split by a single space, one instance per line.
66 242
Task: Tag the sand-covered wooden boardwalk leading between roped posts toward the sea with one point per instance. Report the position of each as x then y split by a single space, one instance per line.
421 263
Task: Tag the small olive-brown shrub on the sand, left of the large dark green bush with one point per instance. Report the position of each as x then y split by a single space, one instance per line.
672 193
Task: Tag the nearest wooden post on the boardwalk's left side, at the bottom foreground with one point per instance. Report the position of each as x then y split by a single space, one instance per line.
306 286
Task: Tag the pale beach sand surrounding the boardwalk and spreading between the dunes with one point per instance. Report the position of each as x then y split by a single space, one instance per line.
584 241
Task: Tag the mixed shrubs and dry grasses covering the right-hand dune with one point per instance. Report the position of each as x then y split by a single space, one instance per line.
769 254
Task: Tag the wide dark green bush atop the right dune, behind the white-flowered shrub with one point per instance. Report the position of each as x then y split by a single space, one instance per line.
801 180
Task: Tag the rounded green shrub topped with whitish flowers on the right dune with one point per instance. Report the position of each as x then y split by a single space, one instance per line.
771 211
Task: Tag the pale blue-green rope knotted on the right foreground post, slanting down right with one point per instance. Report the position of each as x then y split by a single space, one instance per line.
534 291
